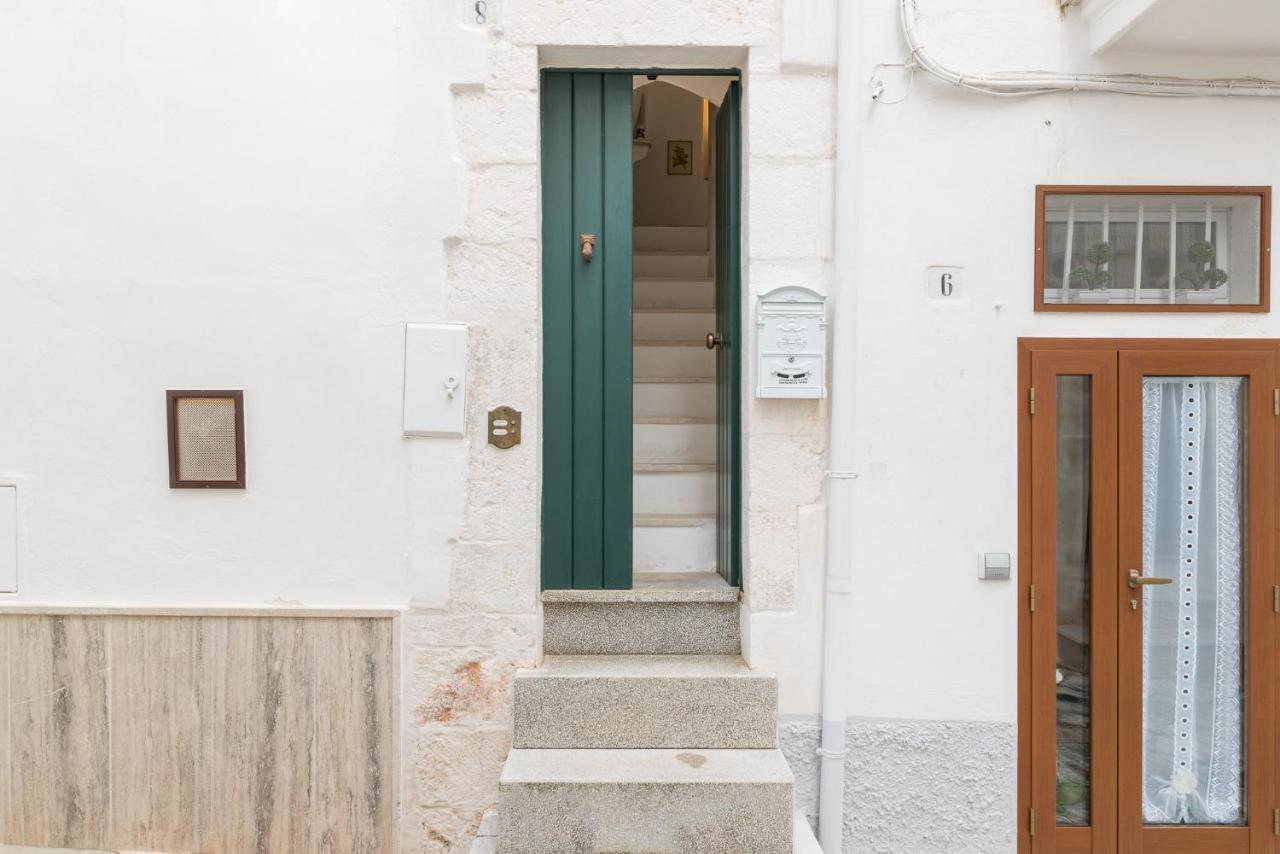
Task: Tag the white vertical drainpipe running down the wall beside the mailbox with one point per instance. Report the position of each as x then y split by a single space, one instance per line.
843 474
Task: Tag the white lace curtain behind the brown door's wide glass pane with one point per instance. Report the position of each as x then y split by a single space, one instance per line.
1192 665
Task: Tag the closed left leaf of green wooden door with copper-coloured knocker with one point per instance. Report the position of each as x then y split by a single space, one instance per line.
587 331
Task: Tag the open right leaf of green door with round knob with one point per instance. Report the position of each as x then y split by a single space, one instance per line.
729 325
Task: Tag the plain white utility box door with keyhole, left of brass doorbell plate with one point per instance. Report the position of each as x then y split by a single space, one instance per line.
436 380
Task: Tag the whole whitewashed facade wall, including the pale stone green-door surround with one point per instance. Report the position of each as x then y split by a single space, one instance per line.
258 197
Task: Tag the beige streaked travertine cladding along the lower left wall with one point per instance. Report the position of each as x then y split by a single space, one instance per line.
255 736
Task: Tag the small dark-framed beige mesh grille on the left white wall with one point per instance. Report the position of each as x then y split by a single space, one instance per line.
207 440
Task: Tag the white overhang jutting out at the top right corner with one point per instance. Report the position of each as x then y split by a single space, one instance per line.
1204 28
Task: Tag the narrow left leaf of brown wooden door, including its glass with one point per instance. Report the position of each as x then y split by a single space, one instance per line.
1073 634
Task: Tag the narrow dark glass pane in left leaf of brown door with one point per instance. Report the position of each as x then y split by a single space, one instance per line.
1073 595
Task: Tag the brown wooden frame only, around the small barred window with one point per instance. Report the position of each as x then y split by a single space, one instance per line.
1264 194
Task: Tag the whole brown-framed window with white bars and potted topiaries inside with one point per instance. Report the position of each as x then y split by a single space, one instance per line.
1153 249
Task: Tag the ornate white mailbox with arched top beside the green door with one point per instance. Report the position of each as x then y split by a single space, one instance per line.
792 344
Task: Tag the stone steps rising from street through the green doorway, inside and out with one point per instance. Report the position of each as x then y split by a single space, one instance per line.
644 729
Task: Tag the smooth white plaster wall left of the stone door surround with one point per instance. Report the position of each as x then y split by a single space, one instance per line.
226 195
